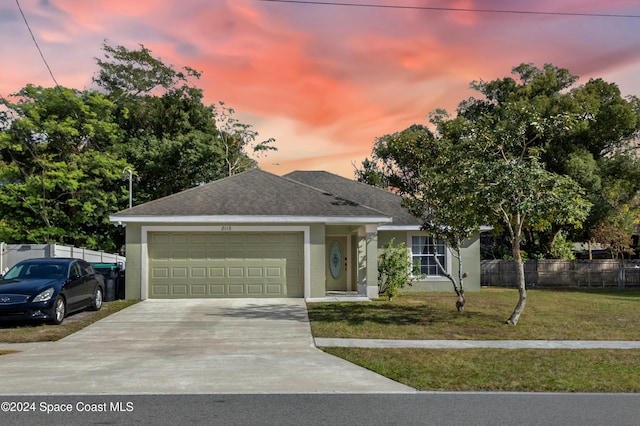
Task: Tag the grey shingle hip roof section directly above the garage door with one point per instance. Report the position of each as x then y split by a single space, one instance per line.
253 193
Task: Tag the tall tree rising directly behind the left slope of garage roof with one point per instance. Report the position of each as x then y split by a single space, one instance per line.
171 136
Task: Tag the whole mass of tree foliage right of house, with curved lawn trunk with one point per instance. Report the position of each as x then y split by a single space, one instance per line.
530 156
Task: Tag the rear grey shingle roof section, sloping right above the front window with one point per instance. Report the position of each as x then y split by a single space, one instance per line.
361 193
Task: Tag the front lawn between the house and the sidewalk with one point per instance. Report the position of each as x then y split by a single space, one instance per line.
548 315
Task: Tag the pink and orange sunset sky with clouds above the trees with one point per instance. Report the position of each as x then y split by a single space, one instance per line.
325 80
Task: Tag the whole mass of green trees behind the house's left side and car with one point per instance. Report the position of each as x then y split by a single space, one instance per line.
63 151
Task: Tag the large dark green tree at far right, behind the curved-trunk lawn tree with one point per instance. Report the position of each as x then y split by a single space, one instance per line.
599 151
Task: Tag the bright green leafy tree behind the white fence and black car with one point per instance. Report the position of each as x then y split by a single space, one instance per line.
59 179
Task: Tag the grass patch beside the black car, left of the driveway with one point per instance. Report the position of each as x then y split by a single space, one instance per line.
25 332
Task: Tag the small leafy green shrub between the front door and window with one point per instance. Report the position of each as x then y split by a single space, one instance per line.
394 269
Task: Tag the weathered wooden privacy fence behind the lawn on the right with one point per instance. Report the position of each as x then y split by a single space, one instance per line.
563 273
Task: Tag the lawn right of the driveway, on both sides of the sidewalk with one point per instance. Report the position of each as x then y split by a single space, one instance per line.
549 315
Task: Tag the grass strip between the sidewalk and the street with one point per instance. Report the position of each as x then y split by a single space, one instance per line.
516 370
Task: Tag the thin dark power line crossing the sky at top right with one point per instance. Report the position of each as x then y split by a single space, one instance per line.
455 9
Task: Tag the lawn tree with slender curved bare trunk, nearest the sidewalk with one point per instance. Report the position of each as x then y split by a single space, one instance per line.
507 132
